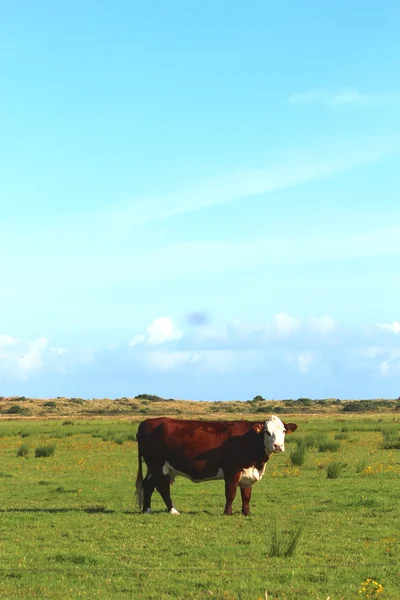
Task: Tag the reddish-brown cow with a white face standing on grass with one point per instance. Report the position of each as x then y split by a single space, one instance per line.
235 451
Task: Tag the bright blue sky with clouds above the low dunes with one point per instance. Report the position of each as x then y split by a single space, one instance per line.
200 200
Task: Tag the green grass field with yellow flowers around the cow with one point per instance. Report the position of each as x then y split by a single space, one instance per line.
70 526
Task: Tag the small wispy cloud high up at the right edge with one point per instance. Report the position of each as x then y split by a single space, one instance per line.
349 97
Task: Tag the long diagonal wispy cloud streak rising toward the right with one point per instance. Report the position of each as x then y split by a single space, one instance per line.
301 168
